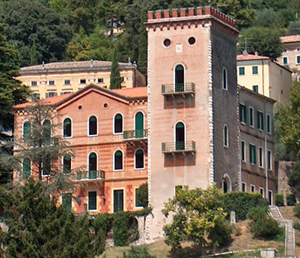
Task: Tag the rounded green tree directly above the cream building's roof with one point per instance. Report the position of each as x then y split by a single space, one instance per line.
266 41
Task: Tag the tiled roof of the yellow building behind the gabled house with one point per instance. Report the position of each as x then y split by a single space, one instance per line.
74 65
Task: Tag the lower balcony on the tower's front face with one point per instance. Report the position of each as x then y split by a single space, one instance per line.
179 147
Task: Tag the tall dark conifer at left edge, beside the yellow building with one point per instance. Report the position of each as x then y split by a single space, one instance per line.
11 90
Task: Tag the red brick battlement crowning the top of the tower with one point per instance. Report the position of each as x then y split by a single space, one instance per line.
182 14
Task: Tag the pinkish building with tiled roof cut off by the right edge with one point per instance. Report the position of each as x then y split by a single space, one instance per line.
291 54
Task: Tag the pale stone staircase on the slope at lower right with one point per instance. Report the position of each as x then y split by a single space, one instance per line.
289 231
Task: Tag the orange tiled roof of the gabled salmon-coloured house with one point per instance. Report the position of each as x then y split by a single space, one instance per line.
128 94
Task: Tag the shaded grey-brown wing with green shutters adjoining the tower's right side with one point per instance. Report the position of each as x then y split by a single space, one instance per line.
257 144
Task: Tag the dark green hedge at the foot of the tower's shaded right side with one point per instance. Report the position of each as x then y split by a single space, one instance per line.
242 202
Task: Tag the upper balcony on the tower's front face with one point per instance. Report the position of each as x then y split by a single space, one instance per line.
181 89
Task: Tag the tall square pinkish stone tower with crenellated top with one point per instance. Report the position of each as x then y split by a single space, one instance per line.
192 105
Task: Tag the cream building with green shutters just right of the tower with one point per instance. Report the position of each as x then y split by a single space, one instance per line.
262 75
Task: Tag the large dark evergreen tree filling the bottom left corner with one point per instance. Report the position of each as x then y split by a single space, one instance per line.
38 228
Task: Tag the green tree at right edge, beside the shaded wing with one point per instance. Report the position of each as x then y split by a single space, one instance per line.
288 115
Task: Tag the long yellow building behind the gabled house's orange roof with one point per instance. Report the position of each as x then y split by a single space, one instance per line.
53 79
